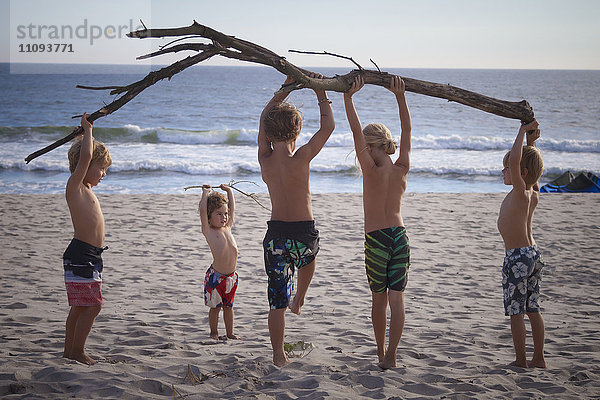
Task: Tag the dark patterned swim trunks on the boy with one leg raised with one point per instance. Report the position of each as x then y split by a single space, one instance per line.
287 246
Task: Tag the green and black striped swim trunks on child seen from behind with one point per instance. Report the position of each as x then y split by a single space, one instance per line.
387 258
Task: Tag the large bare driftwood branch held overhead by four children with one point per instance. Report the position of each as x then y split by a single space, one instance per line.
239 49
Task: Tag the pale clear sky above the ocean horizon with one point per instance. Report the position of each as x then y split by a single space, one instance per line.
516 34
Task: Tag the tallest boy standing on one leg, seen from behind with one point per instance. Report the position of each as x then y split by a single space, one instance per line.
291 241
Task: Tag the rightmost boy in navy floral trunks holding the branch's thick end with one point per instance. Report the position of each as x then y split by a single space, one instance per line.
523 263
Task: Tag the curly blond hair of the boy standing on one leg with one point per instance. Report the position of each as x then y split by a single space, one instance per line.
283 122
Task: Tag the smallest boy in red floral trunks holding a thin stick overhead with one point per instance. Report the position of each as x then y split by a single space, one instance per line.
221 280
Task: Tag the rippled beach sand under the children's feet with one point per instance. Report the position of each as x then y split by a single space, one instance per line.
456 343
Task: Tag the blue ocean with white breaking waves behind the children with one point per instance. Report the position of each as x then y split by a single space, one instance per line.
201 127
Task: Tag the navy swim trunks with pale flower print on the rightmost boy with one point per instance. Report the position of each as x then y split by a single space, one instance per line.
521 275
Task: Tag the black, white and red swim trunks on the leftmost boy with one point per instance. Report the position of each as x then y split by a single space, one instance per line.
82 264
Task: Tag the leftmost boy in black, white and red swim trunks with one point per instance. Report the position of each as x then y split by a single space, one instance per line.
82 261
